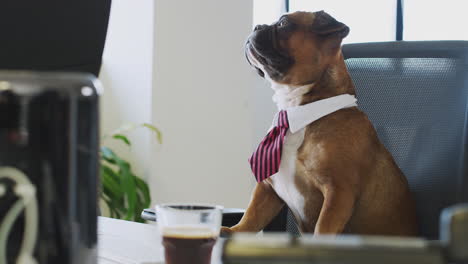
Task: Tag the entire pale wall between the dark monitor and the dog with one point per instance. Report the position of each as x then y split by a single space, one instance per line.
180 65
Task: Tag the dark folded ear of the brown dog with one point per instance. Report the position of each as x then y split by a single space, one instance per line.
325 25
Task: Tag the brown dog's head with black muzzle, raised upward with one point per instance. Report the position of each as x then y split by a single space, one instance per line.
297 48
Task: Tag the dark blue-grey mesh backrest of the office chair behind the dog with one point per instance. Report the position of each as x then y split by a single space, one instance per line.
416 95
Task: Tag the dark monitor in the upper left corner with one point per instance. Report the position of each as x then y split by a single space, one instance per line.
53 35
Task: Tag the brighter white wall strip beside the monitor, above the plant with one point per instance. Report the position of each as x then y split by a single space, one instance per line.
126 75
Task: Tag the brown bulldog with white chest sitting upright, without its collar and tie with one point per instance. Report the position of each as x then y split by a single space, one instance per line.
345 180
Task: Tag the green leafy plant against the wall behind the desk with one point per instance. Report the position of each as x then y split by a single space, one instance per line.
124 193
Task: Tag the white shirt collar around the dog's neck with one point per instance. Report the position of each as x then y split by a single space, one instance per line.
300 116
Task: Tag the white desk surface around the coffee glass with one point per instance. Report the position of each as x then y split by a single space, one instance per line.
124 242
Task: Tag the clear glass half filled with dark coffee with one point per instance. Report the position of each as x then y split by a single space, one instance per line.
189 232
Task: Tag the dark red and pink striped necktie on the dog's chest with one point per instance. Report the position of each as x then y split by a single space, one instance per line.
265 161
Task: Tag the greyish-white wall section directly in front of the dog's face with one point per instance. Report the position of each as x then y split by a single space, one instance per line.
202 101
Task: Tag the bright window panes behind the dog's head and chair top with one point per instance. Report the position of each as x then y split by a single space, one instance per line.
376 20
